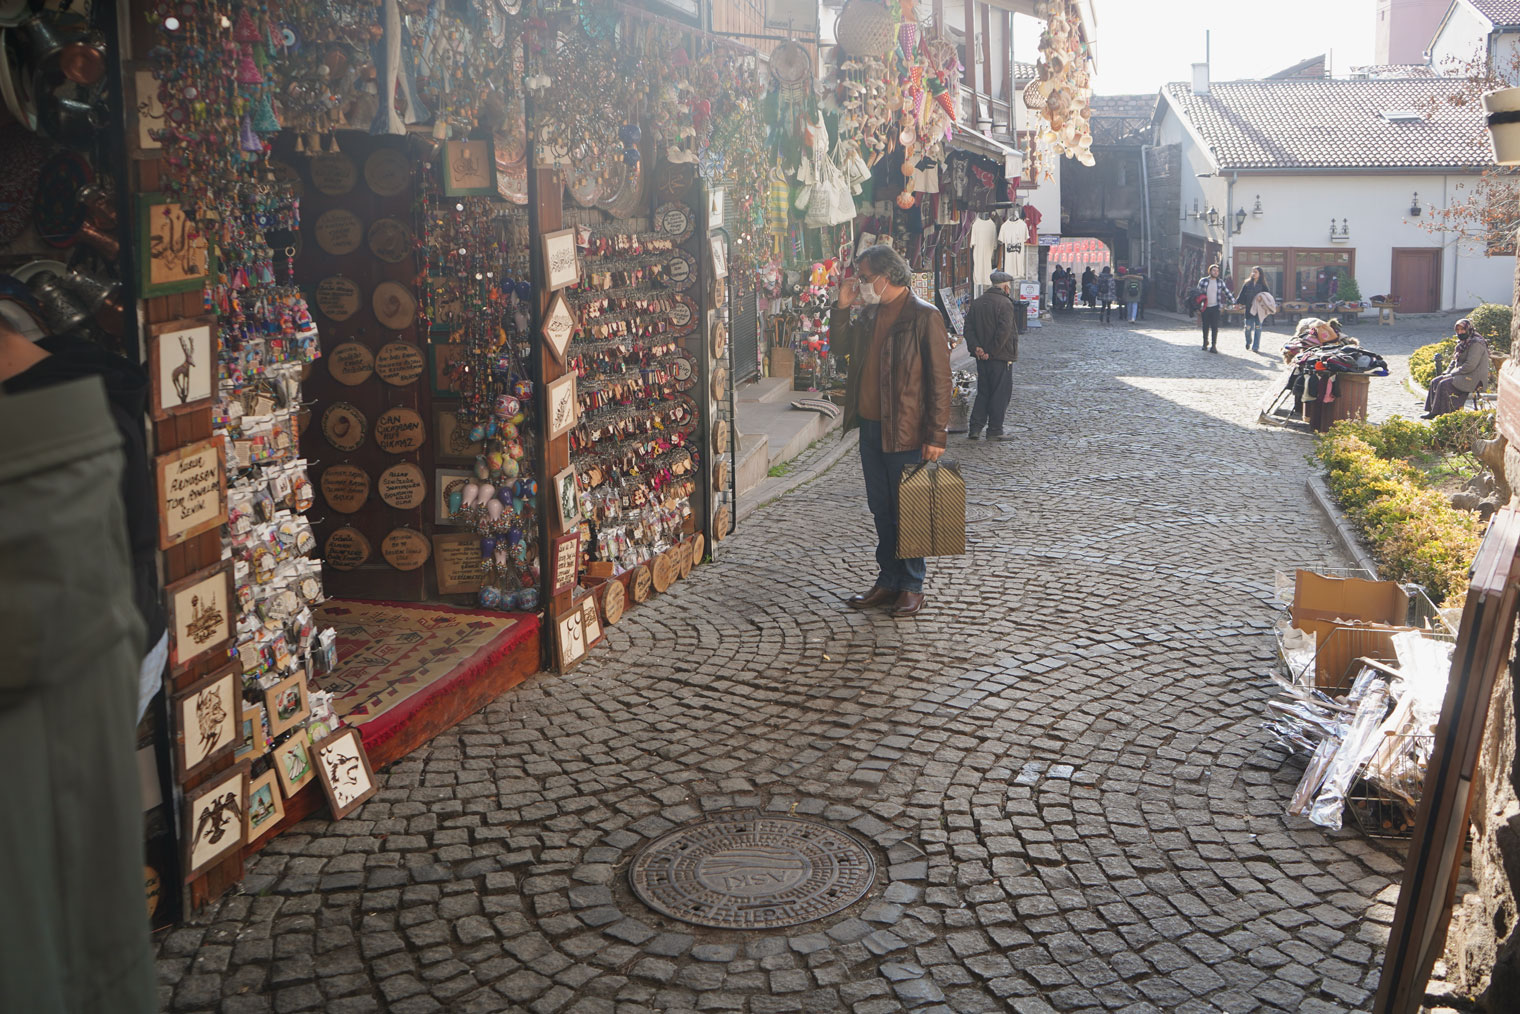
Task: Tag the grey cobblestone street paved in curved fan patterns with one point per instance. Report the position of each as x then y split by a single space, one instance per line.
1060 765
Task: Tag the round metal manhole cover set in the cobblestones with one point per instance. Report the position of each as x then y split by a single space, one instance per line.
753 872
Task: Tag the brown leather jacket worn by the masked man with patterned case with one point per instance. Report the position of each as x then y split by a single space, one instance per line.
916 373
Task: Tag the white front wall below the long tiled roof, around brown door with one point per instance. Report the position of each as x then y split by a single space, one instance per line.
1297 212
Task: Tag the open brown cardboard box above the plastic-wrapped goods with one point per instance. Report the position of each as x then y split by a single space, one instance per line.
1351 619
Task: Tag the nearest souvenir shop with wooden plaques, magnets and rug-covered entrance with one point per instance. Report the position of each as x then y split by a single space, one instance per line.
442 385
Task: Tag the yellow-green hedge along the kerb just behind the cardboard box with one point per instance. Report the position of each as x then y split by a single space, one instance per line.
1413 531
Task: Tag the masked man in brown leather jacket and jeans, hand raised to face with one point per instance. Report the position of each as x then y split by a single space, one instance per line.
899 393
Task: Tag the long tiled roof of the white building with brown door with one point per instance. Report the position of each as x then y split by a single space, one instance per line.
1335 124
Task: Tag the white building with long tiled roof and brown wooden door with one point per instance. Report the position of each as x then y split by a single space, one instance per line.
1319 179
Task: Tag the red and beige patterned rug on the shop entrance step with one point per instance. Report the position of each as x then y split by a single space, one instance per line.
393 658
